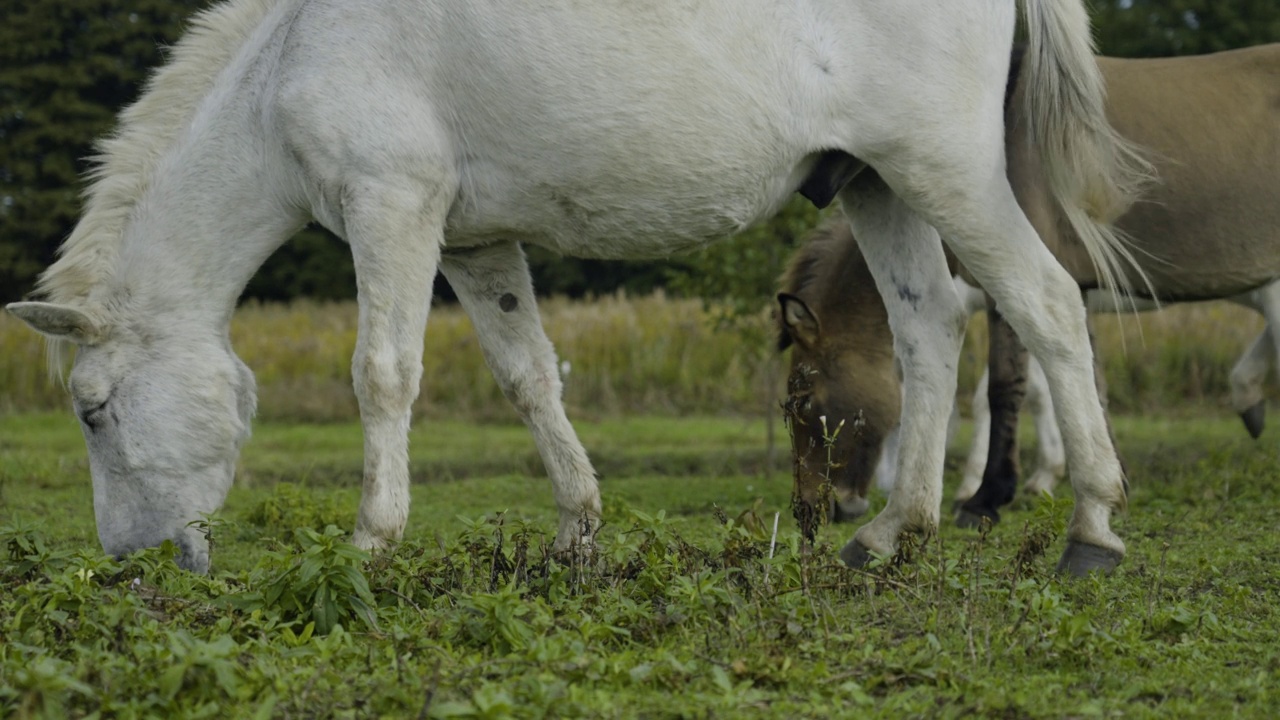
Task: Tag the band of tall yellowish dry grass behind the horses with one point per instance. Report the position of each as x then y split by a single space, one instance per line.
651 356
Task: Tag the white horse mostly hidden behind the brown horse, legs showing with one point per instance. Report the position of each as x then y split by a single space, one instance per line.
1247 388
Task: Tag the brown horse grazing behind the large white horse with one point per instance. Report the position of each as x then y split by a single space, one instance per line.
1209 230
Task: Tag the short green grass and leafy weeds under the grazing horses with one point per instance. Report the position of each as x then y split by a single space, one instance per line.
680 614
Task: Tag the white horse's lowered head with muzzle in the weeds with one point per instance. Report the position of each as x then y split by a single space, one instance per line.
164 412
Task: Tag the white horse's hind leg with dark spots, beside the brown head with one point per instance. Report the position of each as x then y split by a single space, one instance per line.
906 258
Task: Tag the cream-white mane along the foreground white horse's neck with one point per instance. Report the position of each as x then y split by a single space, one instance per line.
125 160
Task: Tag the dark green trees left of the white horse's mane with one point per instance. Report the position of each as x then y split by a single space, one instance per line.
66 69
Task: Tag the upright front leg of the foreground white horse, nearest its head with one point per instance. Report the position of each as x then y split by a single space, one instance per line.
396 241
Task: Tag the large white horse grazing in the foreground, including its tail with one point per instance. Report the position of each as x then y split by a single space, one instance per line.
438 135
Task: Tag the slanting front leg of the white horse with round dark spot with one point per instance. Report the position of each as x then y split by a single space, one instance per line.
495 288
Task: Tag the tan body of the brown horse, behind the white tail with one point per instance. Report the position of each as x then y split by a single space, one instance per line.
1212 125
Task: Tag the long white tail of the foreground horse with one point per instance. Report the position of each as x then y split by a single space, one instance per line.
1094 174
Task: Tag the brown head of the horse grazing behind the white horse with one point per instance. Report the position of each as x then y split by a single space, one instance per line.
844 393
